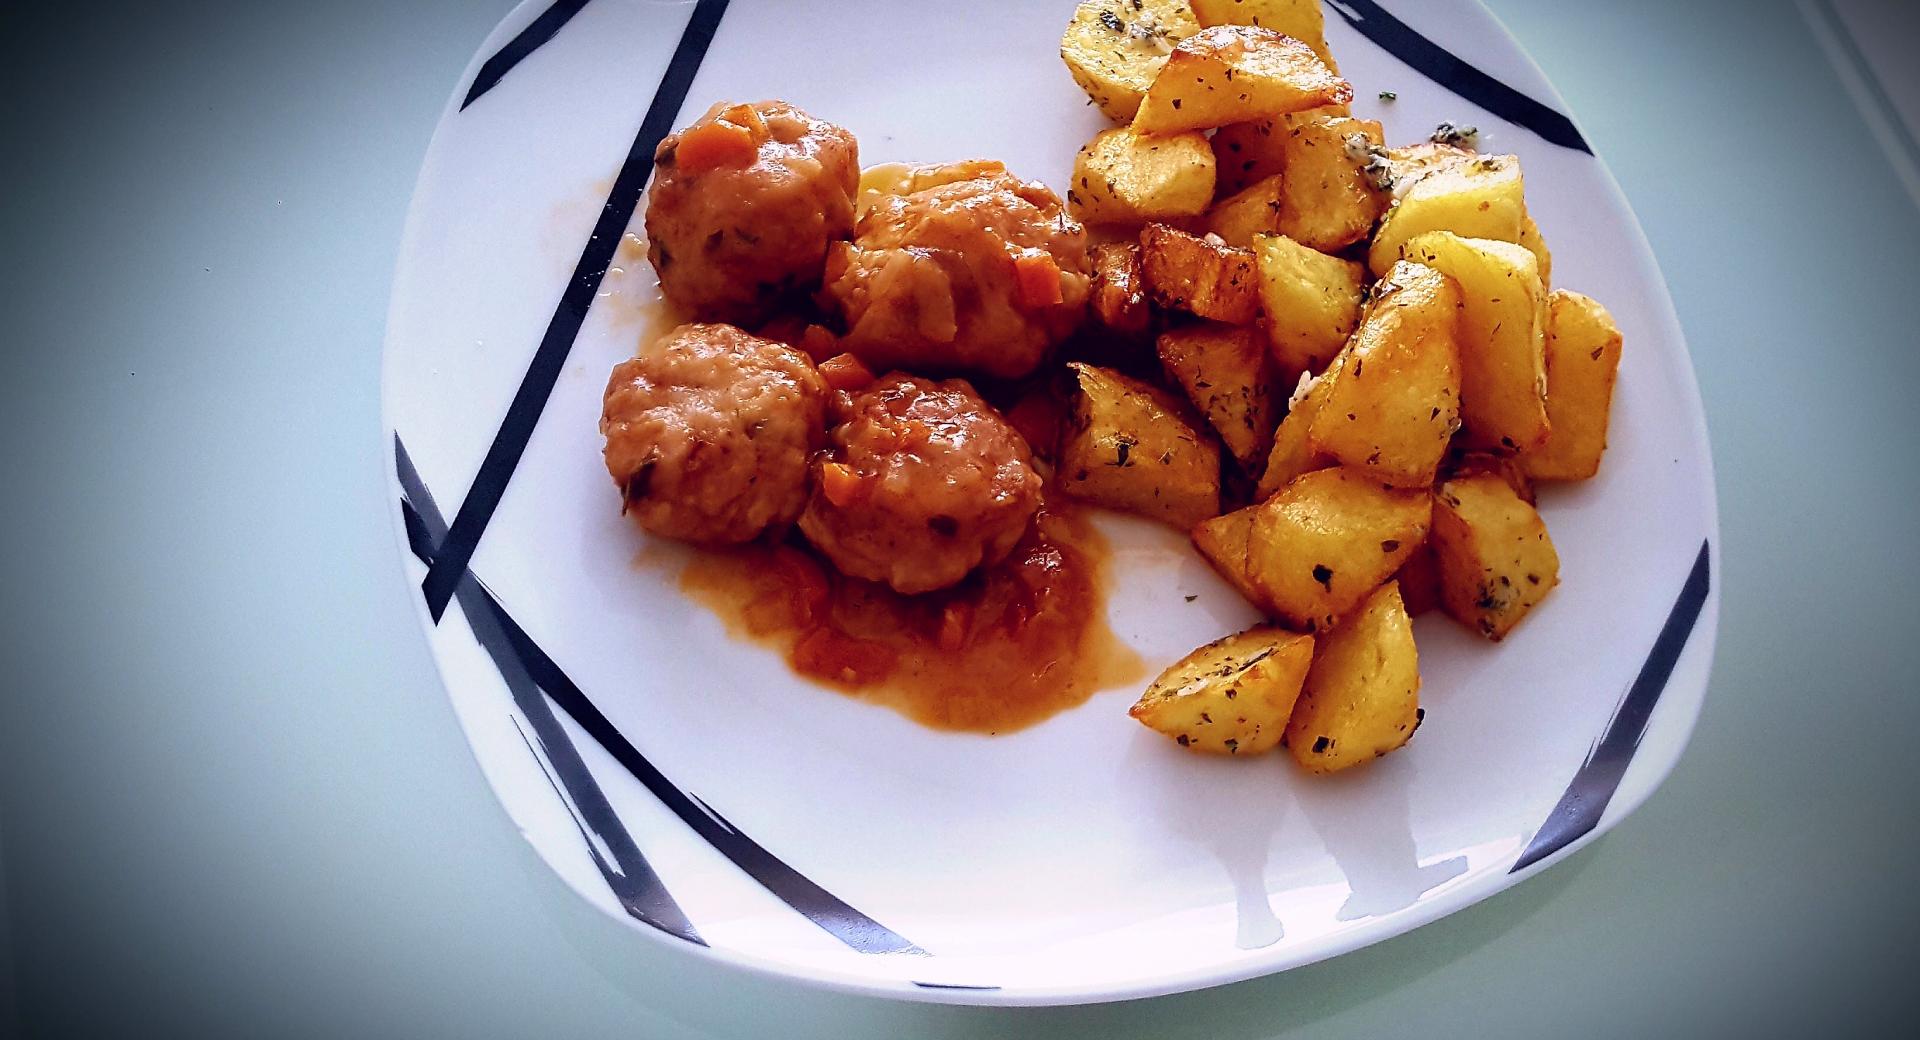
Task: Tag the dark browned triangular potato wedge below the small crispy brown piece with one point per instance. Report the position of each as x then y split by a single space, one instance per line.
1230 379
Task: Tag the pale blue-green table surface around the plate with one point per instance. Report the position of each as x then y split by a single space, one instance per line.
235 801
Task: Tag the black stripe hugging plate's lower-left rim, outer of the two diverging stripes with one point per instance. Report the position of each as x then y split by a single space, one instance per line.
631 878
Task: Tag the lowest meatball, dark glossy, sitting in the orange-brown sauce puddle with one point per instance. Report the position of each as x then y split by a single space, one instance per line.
923 485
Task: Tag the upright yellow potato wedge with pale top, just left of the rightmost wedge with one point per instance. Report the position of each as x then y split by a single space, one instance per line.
1502 337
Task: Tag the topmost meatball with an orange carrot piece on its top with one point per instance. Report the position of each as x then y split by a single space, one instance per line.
744 206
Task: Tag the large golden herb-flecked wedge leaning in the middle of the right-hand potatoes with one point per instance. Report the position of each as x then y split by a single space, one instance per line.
1397 402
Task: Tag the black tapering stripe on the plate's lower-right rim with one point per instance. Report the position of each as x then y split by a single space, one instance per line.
1595 784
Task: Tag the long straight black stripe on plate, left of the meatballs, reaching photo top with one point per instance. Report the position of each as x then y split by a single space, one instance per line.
510 442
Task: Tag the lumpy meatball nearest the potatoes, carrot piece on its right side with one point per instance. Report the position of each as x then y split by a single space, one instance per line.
980 275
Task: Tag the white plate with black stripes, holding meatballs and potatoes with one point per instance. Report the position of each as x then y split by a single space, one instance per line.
694 788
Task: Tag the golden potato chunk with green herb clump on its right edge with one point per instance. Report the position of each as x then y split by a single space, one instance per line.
1328 202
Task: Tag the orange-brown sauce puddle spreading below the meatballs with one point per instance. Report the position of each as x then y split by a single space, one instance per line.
1009 648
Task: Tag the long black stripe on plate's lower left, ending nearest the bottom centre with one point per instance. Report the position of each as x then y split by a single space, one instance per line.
788 886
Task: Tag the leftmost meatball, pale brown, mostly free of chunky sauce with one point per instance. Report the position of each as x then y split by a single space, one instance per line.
709 433
